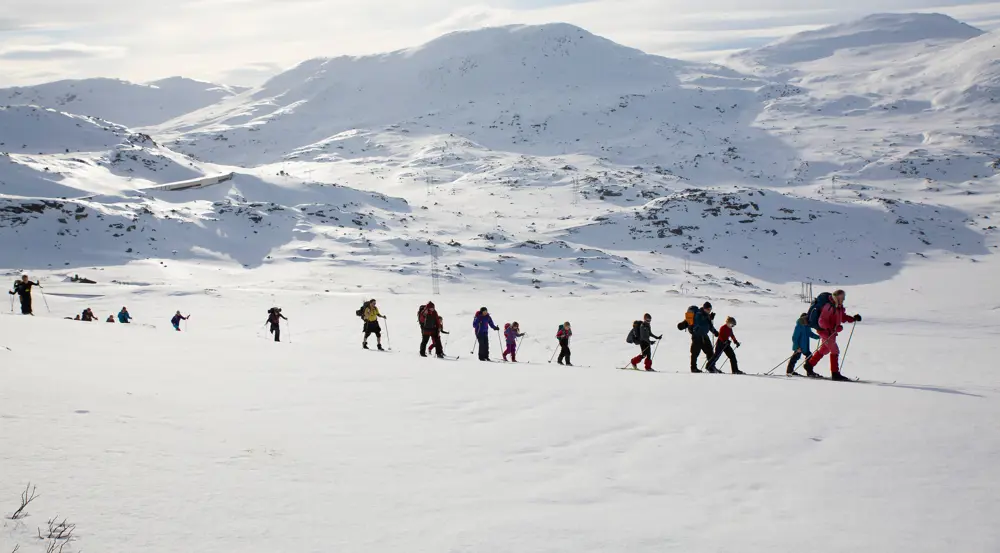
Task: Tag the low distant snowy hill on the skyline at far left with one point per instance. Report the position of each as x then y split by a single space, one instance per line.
125 103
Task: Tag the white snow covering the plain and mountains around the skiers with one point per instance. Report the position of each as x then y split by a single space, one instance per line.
553 175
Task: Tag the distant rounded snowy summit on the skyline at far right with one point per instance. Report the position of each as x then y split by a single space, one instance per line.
869 32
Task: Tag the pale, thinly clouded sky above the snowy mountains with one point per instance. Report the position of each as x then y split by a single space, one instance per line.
245 41
